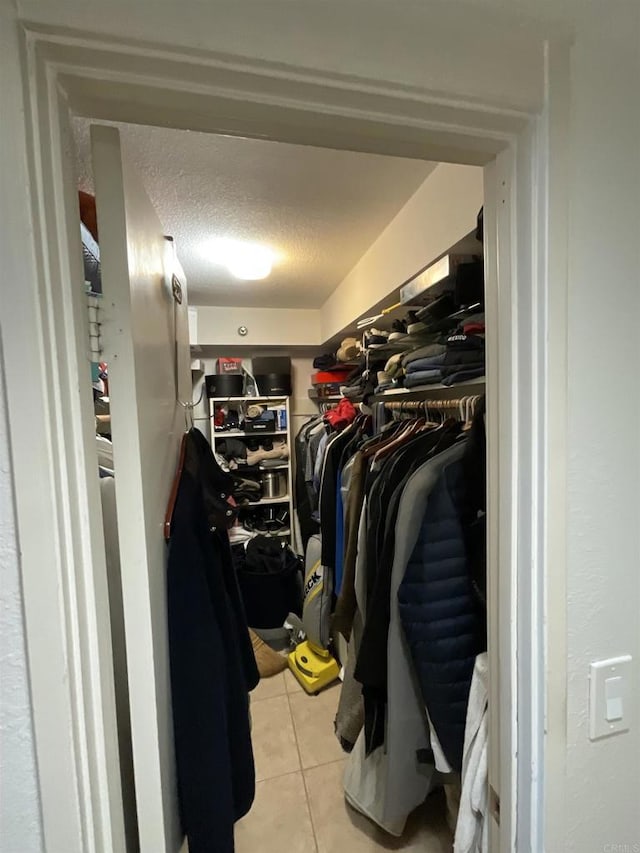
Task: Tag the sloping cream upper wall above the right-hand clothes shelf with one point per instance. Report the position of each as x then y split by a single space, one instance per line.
441 212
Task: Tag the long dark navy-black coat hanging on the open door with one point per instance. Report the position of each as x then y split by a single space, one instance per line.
212 662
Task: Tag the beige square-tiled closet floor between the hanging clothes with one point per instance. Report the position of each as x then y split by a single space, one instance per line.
299 805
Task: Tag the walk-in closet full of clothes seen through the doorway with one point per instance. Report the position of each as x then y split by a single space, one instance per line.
287 348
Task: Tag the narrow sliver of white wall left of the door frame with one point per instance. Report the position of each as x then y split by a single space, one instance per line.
20 822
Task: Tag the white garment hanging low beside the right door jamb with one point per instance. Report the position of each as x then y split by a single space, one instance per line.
472 827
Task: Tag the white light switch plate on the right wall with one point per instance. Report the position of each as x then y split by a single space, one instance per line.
610 697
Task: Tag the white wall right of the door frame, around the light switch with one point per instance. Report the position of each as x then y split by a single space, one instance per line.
603 534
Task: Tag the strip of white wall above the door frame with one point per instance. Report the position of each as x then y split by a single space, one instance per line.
496 56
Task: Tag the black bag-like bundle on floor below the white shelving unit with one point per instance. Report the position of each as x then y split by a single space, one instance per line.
270 579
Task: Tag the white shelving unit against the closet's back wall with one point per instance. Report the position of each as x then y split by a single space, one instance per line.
278 434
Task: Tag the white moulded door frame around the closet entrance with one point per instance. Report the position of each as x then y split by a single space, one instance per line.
67 635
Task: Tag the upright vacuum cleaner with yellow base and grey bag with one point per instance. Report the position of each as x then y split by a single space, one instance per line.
311 662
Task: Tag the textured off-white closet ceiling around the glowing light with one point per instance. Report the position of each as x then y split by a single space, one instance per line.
319 209
